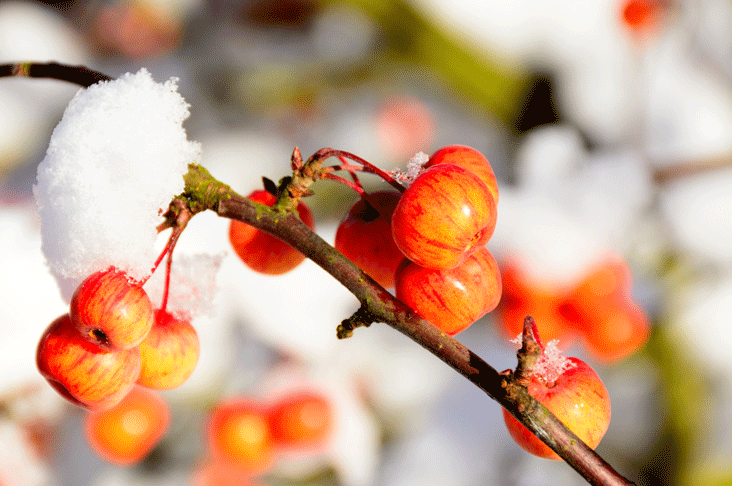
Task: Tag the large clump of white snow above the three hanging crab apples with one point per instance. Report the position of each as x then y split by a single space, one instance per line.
114 162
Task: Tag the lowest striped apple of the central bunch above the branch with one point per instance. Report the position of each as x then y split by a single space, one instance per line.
451 299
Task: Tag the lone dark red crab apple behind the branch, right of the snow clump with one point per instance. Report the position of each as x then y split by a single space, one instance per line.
262 252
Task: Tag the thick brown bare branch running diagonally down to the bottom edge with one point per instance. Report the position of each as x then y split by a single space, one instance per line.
381 306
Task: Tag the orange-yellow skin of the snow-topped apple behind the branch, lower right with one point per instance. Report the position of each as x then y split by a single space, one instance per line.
578 398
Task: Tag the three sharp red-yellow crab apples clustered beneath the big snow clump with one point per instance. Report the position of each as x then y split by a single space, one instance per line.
112 339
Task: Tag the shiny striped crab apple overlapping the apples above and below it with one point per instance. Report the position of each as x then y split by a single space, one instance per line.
444 215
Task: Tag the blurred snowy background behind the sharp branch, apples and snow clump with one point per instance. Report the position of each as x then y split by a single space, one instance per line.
609 126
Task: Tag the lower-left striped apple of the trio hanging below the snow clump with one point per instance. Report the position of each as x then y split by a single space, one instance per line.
82 372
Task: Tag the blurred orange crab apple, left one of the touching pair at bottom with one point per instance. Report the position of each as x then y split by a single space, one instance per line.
239 436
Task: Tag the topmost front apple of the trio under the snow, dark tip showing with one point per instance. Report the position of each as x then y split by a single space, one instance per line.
111 310
